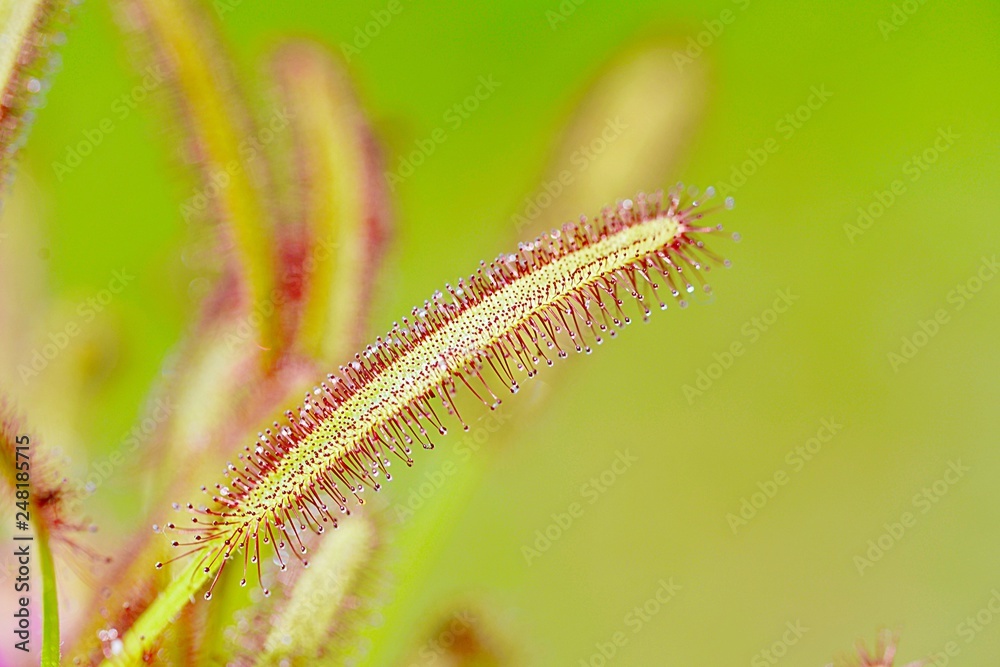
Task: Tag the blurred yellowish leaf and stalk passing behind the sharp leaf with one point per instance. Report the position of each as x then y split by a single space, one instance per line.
590 164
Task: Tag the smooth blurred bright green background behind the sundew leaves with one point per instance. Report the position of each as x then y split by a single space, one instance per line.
826 357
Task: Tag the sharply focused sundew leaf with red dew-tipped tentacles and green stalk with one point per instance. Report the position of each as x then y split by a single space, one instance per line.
559 292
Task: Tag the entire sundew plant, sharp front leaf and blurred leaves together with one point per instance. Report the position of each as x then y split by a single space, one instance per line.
290 243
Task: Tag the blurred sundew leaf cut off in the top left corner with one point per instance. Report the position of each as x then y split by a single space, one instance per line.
28 33
